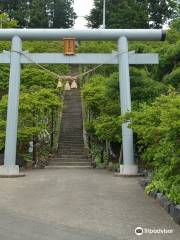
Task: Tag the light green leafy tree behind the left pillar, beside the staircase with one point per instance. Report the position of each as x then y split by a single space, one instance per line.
35 110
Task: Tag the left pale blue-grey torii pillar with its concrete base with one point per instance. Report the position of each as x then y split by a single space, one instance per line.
10 167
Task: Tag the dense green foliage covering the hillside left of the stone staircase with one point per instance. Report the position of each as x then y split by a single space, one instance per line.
40 104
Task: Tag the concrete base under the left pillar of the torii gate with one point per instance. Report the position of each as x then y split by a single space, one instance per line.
10 171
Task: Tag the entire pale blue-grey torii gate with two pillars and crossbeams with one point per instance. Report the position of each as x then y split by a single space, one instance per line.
123 58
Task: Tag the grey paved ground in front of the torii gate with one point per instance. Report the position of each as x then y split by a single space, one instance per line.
75 204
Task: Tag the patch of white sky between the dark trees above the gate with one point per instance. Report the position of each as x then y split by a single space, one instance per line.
82 8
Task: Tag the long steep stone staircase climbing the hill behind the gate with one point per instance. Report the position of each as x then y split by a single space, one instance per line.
71 151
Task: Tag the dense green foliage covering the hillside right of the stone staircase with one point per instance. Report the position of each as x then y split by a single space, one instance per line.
155 116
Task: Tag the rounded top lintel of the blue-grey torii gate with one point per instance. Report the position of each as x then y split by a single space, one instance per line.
85 34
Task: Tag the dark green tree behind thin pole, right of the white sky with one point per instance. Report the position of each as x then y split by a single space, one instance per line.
119 14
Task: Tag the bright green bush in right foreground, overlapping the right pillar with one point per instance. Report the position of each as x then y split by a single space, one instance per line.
158 129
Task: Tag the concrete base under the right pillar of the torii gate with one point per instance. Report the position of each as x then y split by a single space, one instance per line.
128 171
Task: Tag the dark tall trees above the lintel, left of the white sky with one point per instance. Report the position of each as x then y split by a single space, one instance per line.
40 13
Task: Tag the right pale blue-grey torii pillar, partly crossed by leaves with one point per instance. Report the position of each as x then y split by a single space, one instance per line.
128 167
